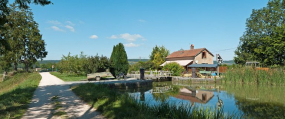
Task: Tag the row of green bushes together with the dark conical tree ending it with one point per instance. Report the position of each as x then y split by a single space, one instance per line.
82 64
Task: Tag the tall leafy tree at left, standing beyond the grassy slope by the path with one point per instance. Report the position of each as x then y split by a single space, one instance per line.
24 38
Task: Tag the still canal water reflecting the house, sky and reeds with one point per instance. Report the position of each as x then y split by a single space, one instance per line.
251 100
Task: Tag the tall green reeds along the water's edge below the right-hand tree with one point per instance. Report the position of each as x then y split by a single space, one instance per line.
250 75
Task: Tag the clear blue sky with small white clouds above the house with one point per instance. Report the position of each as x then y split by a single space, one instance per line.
95 26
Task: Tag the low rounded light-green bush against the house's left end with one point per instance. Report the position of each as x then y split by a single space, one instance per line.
174 67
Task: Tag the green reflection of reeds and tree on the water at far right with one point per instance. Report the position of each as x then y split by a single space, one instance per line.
259 101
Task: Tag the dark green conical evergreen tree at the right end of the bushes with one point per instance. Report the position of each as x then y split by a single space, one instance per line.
119 60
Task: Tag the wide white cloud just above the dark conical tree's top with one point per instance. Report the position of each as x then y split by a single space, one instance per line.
127 36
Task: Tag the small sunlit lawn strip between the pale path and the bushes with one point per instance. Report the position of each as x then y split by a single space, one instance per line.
68 77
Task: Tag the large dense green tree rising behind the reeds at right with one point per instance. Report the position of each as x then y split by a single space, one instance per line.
264 38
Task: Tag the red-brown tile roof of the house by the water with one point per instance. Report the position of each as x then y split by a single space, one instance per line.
187 53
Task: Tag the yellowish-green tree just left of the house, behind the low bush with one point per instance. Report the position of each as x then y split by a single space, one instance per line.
158 56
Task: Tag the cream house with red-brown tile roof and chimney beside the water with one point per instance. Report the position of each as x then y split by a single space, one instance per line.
191 56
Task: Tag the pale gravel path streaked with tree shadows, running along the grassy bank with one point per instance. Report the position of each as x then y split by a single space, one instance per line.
42 106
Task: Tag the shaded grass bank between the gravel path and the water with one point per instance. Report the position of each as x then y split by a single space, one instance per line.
115 105
